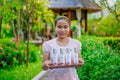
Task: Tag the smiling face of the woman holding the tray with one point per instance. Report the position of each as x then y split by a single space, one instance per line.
62 28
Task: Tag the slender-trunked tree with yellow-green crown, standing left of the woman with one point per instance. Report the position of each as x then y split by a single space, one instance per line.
31 13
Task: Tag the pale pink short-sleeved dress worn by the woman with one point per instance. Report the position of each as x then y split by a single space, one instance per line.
61 73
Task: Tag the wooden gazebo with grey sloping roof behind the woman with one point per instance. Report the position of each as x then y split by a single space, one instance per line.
74 9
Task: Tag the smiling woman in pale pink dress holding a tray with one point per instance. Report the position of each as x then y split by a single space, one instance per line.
65 44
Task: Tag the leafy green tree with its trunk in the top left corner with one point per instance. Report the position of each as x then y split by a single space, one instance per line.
10 13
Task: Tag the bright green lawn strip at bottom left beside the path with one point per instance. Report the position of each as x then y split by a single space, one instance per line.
21 72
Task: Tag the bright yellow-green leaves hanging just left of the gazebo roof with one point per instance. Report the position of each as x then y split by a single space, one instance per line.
42 15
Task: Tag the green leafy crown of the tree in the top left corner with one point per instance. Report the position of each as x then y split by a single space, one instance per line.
9 10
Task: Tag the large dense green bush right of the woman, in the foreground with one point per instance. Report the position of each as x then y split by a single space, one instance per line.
101 62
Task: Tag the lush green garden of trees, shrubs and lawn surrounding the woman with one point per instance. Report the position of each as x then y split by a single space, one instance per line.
24 27
